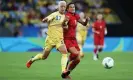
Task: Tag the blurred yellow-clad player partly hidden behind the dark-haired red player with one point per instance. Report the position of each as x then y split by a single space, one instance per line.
81 33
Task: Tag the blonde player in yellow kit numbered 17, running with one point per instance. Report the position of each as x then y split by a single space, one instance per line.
54 36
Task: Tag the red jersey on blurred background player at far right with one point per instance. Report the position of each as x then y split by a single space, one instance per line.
100 26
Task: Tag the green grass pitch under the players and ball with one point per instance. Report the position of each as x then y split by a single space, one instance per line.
12 67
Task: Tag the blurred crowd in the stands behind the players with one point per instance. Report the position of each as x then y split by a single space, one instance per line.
22 18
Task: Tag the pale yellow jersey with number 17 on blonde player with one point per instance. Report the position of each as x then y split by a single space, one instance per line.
55 21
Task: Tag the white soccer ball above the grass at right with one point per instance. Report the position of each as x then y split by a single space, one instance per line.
108 62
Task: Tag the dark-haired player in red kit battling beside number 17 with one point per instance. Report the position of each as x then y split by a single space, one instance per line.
70 38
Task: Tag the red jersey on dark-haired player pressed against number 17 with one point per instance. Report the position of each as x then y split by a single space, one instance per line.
72 24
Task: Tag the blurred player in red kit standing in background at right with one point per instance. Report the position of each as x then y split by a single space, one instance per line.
99 29
